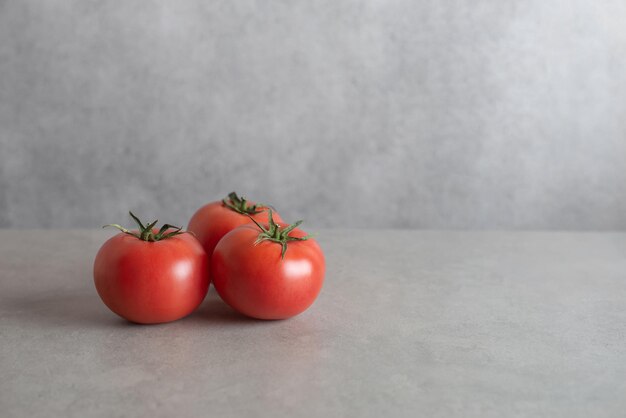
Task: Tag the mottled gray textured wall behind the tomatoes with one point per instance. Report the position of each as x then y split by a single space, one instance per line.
440 114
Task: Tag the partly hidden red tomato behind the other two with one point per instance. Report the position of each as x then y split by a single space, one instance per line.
214 220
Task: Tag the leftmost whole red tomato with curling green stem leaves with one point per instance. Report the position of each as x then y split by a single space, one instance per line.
151 276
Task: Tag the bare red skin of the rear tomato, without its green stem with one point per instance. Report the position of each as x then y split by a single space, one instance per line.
214 220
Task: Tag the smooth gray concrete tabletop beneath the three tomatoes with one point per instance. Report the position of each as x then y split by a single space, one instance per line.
436 324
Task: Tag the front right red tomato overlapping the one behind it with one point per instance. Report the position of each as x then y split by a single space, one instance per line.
271 271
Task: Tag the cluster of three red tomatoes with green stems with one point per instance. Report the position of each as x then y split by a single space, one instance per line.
260 266
